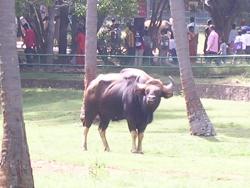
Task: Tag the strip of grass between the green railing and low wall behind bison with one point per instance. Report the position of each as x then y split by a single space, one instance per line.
238 75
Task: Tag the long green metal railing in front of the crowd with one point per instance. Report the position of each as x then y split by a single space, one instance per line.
74 60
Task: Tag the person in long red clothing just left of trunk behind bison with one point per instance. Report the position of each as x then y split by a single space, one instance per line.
80 50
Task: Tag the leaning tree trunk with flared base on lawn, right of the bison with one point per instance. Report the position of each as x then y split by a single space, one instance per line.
199 122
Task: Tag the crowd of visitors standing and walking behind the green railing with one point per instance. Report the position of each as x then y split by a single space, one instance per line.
141 48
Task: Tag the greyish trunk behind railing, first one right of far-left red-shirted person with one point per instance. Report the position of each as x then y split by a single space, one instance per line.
50 34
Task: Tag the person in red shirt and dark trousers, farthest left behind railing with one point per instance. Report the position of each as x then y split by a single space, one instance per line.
30 42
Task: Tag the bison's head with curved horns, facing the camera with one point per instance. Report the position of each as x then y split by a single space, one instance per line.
153 90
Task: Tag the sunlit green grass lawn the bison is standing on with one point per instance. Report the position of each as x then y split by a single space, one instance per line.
173 158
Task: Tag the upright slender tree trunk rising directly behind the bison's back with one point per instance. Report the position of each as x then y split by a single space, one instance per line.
91 41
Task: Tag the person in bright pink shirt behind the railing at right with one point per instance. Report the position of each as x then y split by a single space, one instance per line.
212 43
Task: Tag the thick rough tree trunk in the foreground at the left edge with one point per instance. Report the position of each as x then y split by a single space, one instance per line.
15 167
